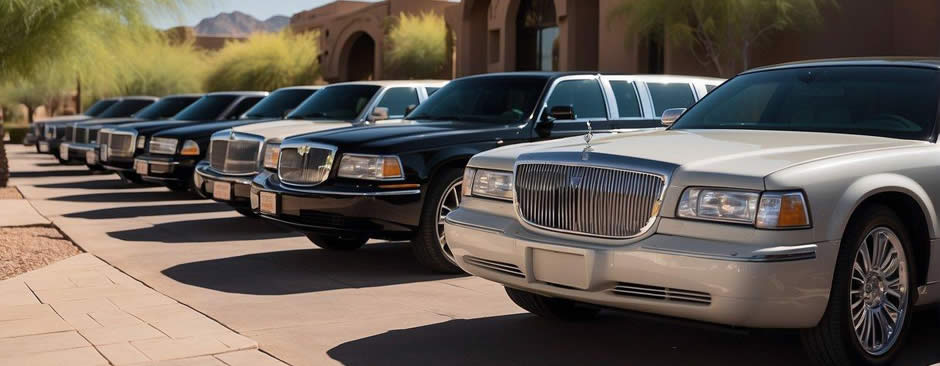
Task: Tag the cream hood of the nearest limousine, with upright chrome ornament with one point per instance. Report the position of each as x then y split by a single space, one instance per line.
730 158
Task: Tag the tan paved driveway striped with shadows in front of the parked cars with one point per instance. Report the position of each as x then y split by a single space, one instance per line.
308 306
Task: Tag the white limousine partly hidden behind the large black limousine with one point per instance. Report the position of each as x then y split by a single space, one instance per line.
237 155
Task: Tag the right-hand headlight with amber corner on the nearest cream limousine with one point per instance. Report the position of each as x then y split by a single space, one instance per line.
770 210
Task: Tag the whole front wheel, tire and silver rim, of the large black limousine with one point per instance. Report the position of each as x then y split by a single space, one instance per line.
430 245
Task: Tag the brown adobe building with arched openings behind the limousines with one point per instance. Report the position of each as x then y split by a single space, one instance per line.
567 35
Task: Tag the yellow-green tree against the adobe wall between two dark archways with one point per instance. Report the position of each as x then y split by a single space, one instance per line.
417 46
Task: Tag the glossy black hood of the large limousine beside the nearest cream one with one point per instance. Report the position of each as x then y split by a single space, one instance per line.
409 135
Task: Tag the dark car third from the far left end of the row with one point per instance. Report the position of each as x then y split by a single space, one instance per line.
83 146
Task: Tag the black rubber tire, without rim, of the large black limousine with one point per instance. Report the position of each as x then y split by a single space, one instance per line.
426 244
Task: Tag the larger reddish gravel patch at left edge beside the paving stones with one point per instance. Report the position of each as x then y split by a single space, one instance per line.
27 248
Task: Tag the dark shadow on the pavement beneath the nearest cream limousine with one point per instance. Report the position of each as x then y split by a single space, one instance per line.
615 338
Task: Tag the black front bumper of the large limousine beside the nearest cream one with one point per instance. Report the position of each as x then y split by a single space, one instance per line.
382 214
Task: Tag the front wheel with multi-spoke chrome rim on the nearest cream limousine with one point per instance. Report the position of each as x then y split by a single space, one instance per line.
869 308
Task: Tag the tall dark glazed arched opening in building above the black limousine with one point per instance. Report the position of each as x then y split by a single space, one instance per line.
537 36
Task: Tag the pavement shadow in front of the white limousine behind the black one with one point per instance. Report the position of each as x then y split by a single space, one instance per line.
205 231
